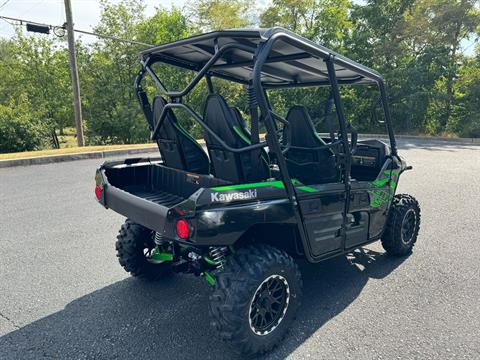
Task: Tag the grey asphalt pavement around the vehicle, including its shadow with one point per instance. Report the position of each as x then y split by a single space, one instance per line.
63 294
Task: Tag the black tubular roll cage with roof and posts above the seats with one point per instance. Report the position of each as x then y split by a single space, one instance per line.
262 59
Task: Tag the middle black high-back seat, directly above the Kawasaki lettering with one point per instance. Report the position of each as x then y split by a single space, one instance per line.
235 167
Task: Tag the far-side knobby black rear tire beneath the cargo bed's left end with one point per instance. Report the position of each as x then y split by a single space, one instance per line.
132 242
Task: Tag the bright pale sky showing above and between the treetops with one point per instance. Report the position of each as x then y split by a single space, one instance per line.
86 14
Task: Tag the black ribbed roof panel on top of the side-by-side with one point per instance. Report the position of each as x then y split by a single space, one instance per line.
293 60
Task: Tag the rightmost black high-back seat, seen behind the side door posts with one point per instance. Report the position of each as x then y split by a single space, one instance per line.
308 165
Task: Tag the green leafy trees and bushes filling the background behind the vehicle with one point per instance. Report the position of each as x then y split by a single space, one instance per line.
416 44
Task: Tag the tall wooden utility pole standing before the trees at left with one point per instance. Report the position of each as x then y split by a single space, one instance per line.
74 74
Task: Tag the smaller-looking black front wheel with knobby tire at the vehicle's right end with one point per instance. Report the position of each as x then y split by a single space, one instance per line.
403 225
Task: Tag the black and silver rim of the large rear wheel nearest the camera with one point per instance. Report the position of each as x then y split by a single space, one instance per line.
269 305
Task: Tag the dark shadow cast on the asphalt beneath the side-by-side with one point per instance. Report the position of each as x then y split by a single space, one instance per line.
133 319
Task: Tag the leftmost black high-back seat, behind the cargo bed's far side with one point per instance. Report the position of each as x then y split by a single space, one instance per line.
178 149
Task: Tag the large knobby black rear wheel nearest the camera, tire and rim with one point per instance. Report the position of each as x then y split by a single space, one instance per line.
249 290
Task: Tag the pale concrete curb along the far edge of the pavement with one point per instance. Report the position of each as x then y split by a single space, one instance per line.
103 154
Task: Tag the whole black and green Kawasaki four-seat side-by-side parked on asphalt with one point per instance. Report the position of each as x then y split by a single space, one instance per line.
241 210
